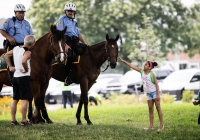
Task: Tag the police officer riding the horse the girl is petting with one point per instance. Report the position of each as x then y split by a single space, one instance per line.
72 35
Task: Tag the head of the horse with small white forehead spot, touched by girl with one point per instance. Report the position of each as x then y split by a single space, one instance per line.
112 50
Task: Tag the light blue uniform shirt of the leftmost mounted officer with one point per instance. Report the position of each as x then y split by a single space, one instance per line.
22 29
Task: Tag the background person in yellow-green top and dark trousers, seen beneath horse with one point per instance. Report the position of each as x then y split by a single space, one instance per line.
66 93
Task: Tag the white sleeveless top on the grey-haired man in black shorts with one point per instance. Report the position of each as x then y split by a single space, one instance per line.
18 54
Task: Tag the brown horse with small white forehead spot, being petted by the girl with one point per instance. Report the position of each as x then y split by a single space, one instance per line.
87 70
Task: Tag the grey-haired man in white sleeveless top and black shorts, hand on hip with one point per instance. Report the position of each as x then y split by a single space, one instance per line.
21 79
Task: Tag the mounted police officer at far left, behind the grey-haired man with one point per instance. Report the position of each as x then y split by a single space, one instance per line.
15 29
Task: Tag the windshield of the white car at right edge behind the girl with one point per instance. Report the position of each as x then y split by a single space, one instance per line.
178 77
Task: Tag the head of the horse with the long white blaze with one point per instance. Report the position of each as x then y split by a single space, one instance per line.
57 42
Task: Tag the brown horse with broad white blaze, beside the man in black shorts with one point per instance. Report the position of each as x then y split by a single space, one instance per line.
50 46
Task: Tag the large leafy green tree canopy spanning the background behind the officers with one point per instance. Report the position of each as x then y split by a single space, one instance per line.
171 22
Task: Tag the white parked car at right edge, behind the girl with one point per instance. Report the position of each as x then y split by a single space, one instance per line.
181 80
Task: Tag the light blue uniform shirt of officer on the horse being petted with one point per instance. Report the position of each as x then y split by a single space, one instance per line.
72 28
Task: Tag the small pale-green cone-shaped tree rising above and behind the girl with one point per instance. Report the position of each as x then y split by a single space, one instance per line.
147 46
